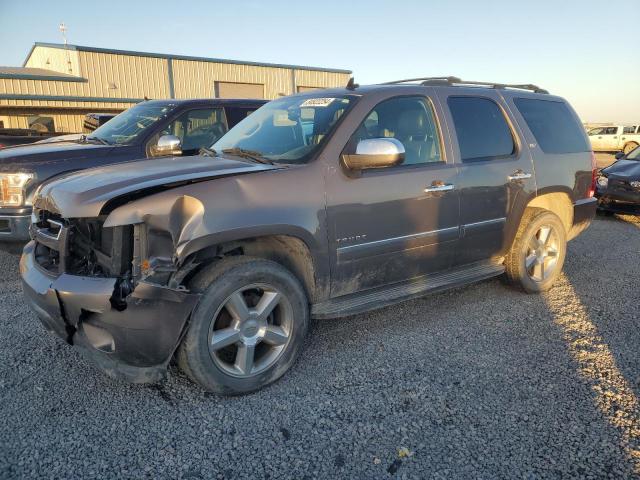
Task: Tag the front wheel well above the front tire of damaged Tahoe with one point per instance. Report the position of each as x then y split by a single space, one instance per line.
290 252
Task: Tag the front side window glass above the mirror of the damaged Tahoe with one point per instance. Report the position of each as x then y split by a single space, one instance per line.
408 119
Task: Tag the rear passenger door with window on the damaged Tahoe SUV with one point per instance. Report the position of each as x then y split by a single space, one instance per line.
496 171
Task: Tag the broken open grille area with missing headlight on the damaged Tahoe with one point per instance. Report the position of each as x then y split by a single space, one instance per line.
81 246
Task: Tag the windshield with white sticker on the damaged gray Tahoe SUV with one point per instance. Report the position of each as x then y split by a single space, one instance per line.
288 130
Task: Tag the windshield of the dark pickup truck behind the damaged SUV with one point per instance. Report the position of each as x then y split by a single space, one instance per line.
126 127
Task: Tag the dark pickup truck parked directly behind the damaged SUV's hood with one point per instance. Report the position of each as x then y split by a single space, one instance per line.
155 128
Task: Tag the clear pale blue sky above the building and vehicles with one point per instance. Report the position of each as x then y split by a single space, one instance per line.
584 50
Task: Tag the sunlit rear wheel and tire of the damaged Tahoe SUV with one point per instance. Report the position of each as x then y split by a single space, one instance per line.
537 254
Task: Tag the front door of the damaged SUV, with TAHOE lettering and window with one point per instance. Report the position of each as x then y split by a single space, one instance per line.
392 224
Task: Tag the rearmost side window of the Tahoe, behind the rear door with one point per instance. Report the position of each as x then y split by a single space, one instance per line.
553 125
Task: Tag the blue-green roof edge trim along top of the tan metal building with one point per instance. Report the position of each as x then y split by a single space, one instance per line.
180 57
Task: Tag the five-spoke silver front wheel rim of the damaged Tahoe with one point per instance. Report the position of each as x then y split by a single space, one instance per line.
250 330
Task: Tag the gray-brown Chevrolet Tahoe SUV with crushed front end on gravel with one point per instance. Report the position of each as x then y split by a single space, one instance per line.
320 205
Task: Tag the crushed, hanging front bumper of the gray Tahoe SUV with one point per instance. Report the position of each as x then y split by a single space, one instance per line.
135 344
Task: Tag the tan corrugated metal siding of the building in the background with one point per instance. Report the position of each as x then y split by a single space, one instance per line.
137 76
